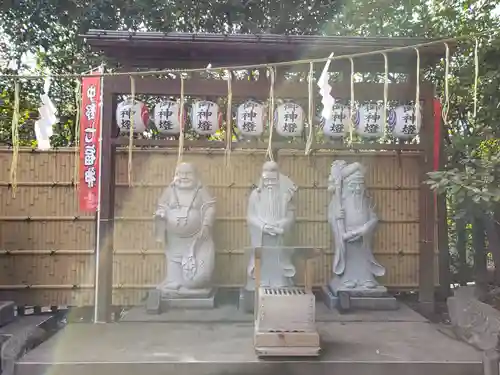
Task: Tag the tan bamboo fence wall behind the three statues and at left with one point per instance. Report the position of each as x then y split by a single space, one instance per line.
47 249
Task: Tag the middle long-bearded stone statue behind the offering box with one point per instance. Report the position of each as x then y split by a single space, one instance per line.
270 218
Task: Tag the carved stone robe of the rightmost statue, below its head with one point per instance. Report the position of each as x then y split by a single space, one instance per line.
354 261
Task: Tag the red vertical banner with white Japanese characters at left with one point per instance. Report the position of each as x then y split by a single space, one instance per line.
90 131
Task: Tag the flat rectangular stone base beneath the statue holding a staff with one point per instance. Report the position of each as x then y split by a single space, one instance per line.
358 301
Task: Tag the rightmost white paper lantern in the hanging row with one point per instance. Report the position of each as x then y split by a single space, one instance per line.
403 122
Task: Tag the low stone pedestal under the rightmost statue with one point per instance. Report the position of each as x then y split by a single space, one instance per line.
364 299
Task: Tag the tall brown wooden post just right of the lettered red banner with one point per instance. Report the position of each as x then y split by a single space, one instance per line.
104 257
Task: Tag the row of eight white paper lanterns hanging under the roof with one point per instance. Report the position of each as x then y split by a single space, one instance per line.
289 117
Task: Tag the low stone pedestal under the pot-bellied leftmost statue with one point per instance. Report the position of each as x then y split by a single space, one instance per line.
158 302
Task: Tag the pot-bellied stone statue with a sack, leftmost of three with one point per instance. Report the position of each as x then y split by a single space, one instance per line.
184 220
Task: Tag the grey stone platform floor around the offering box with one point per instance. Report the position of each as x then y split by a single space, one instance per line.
375 343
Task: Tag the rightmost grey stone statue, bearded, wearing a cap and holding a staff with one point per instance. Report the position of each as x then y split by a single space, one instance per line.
353 223
